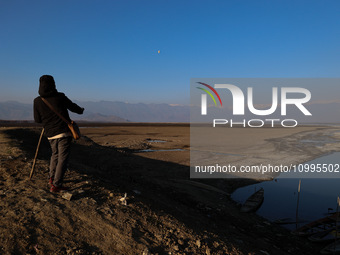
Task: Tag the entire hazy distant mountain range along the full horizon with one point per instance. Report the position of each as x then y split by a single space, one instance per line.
108 111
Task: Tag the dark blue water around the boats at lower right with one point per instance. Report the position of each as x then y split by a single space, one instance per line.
317 196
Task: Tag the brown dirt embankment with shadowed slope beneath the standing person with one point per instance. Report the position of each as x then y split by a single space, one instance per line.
163 212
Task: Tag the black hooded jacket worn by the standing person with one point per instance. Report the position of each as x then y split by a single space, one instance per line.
51 122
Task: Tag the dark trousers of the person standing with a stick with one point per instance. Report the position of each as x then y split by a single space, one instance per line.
59 159
